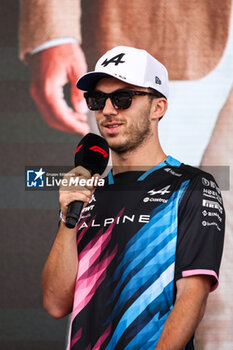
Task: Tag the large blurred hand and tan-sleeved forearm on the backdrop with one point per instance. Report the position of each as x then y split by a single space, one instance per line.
52 68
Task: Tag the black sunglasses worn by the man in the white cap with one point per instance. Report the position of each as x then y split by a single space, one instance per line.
121 99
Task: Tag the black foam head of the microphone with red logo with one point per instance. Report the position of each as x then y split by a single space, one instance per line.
92 153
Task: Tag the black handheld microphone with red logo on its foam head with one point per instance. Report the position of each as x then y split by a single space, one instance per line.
92 153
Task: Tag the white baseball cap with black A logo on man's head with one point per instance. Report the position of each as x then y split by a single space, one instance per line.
134 66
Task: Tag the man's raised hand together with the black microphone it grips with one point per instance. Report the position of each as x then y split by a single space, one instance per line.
91 158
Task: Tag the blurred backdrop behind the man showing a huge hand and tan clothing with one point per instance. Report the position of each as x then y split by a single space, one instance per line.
48 44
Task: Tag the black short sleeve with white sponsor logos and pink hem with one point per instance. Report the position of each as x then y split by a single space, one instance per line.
201 224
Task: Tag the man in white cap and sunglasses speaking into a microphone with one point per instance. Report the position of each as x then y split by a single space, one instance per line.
139 266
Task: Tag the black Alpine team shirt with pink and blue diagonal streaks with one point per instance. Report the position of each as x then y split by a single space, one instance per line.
138 235
